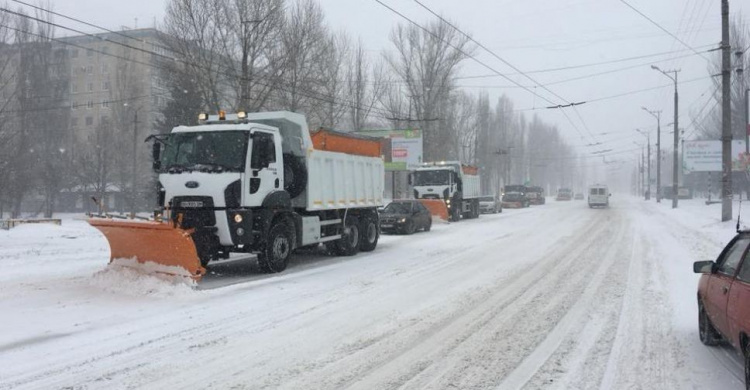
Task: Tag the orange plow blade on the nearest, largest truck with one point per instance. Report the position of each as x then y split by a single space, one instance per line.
155 246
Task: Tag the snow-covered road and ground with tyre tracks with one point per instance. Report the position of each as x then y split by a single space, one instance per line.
556 296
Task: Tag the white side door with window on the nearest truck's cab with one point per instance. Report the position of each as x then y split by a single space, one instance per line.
265 175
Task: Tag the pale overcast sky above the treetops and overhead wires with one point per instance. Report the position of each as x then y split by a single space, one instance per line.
536 35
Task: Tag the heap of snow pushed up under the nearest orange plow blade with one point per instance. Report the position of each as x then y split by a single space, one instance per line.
121 277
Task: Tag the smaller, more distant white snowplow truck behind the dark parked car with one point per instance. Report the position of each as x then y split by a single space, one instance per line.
455 184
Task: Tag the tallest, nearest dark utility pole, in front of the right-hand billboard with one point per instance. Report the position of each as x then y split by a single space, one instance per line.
726 115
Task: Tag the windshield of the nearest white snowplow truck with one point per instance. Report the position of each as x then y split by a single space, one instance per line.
216 151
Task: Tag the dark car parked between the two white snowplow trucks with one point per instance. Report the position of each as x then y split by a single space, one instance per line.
405 217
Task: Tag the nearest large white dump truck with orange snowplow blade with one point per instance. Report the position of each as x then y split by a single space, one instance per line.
252 183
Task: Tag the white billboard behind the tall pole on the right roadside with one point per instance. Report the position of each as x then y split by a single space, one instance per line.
705 156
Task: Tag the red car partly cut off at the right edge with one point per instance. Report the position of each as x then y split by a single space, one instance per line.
724 299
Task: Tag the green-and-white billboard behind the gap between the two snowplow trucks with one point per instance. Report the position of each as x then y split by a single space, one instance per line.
402 148
